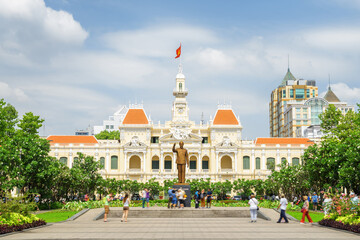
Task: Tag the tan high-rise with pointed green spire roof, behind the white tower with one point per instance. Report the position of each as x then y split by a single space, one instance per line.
290 90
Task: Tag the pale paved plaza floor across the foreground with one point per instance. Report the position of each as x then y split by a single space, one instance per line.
180 228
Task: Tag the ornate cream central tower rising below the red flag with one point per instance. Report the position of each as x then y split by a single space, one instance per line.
180 109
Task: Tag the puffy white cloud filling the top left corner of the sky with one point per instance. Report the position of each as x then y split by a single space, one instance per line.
29 28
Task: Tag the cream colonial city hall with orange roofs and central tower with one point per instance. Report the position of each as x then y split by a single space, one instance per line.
144 151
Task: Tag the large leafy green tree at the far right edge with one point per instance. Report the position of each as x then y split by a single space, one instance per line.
336 160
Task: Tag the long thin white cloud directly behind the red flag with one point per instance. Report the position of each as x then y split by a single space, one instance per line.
159 41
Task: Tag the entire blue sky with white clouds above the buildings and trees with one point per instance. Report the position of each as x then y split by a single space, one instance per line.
74 62
